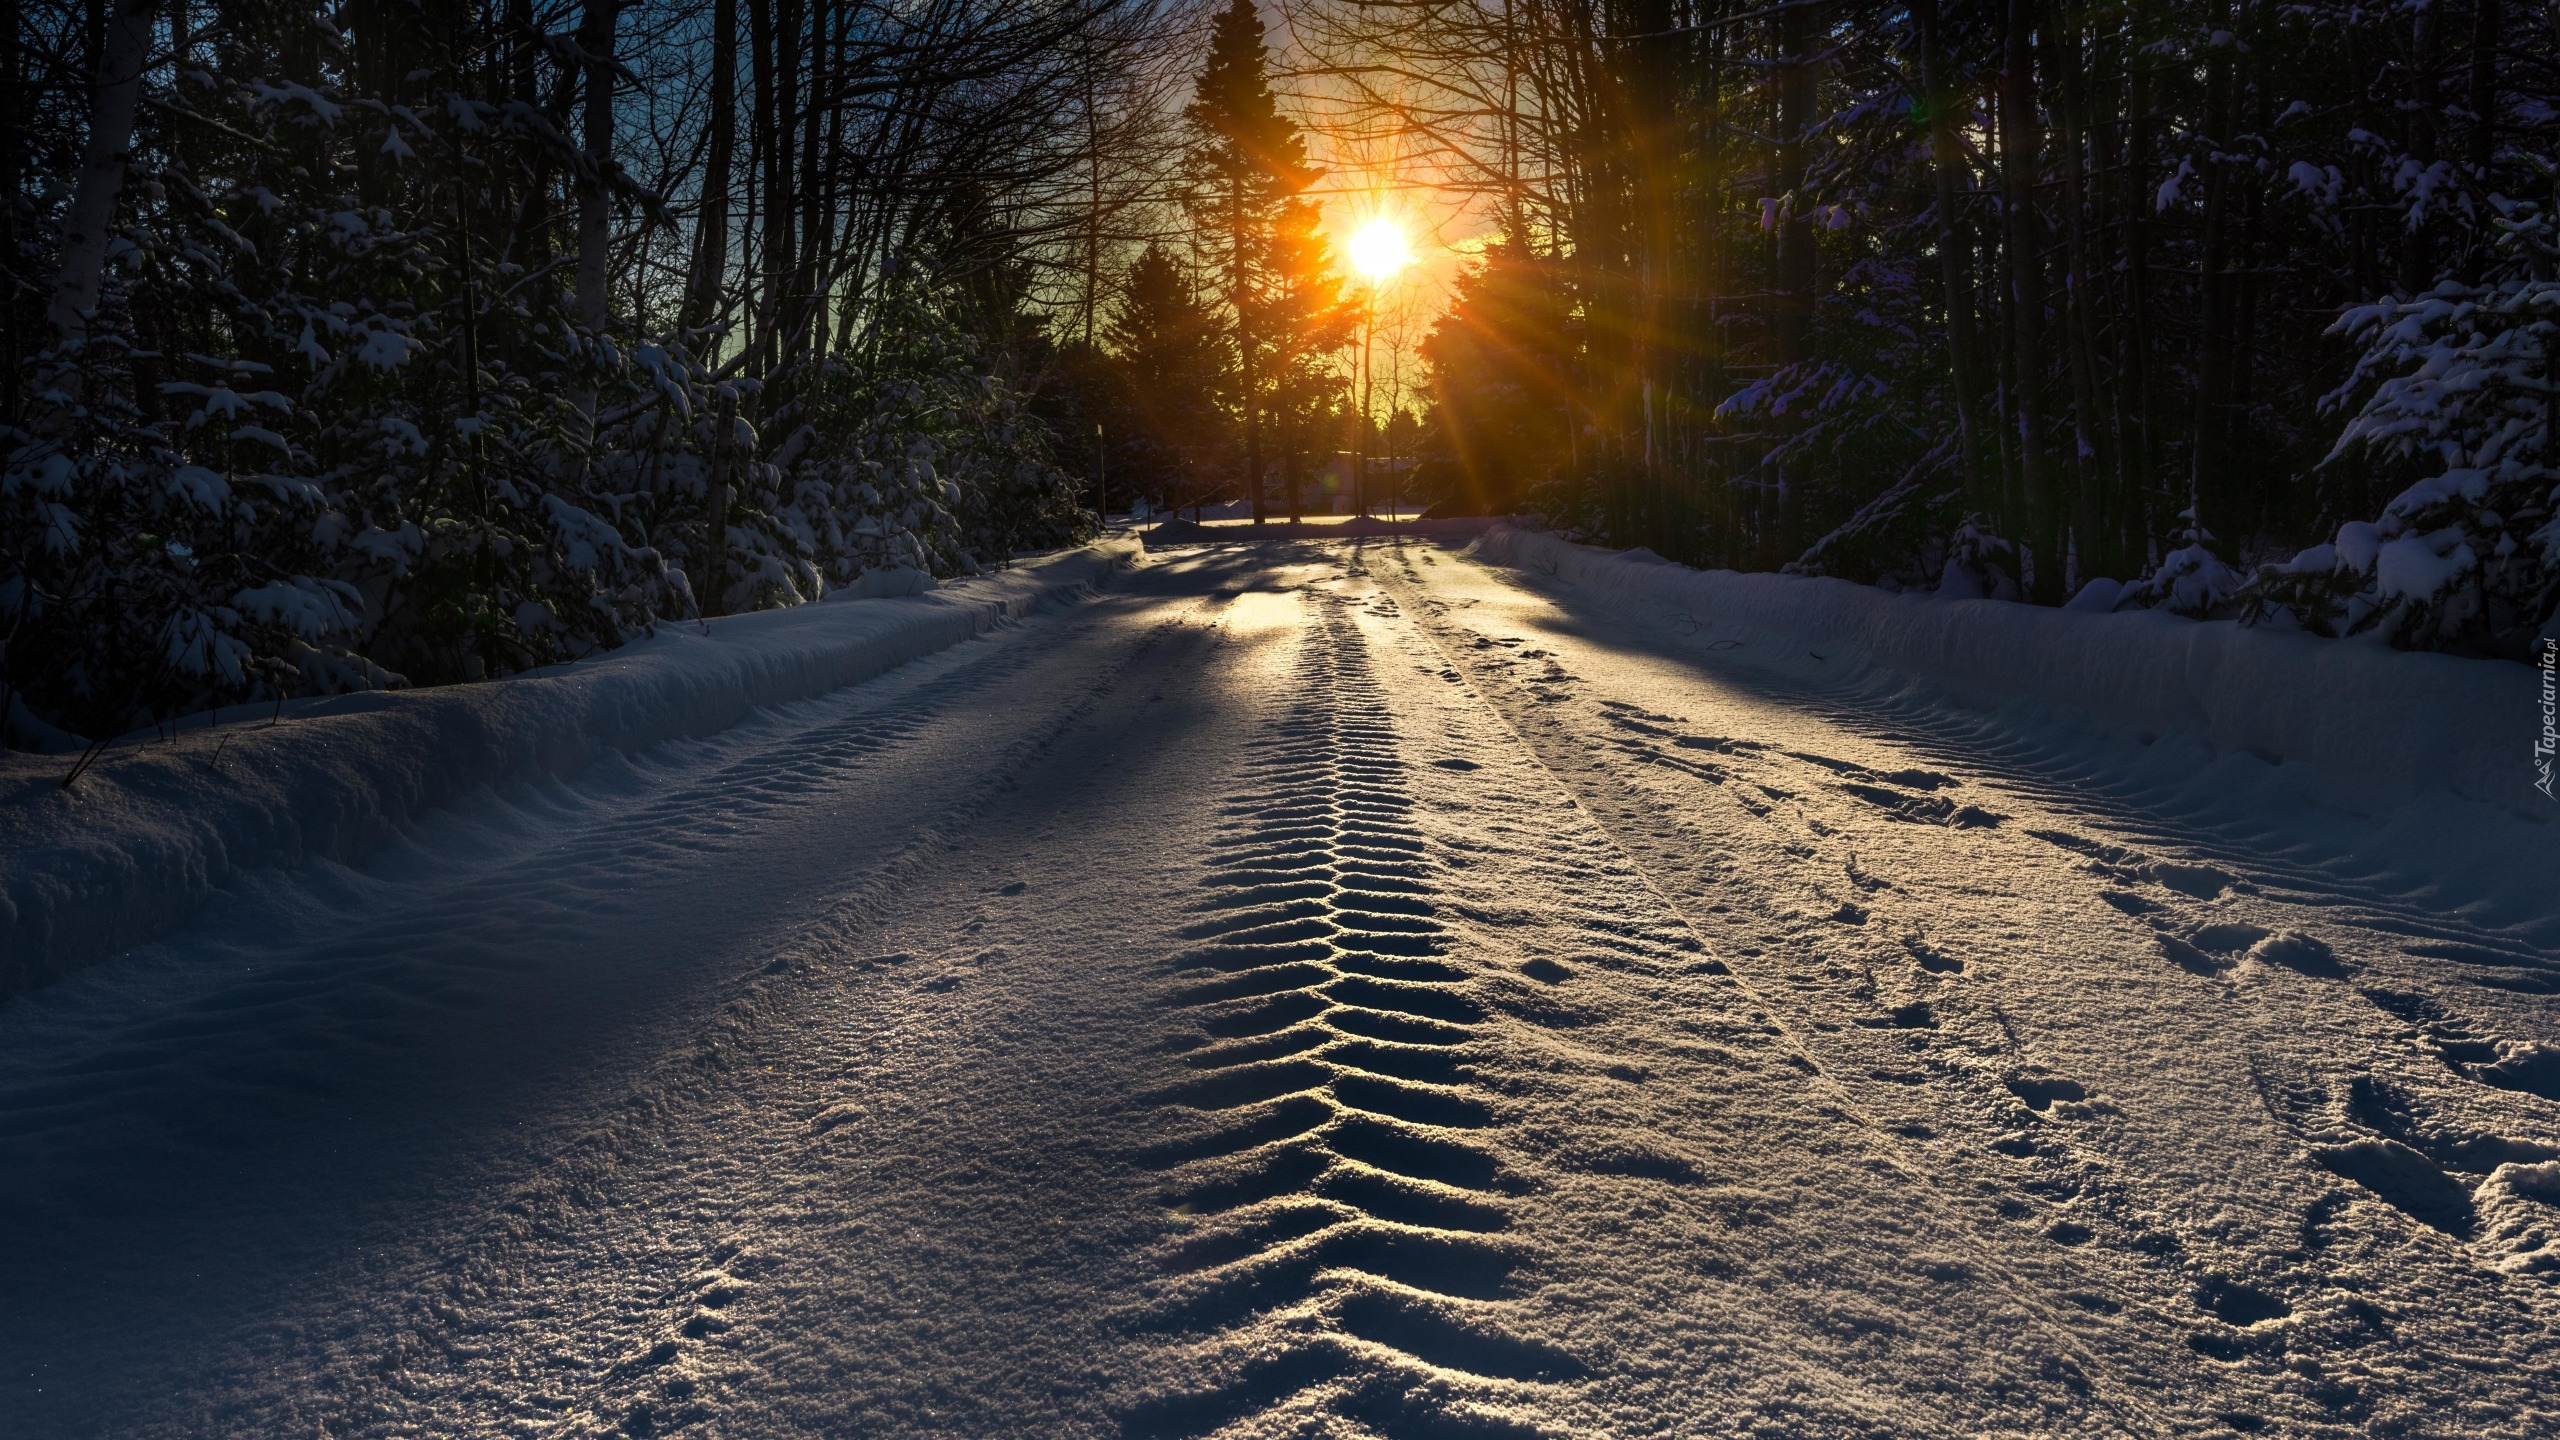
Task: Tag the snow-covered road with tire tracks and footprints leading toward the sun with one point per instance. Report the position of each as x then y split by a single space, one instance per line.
1317 990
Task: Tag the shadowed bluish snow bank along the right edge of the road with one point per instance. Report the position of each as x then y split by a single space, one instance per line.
2377 724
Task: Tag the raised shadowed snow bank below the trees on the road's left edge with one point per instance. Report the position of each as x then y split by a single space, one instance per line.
150 834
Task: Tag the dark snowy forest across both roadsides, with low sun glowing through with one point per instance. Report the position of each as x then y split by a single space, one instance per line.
416 342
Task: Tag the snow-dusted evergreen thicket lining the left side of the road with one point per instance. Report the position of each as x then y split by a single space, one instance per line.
334 424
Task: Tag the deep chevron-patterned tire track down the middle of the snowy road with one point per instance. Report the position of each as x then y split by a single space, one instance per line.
1348 1236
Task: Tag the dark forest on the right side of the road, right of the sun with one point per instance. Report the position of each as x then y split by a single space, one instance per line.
2234 309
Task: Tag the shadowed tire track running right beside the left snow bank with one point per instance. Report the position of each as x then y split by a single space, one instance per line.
367 985
